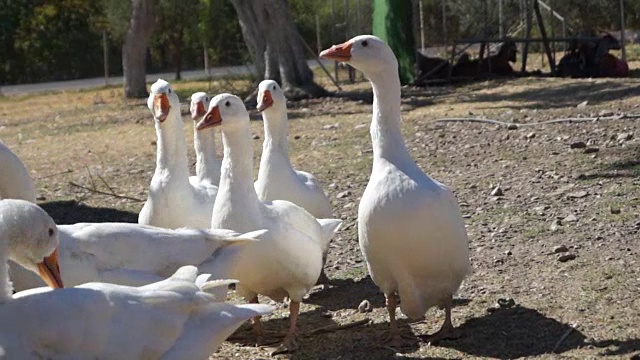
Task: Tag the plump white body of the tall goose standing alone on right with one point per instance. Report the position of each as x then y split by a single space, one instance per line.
413 237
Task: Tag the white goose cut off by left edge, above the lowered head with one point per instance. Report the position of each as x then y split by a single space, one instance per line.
15 181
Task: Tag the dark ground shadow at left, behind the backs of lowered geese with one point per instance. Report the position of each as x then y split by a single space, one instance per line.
71 212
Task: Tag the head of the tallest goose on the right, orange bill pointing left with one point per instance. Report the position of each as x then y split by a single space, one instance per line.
366 53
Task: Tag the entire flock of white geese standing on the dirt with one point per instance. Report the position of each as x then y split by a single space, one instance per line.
156 290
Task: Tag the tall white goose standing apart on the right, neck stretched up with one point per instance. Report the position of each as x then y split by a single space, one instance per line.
411 231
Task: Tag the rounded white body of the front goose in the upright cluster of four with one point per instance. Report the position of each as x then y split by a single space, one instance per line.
286 262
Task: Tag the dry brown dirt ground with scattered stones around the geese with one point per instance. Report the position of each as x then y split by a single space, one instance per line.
555 253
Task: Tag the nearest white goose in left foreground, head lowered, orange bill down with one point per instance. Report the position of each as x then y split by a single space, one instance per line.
171 319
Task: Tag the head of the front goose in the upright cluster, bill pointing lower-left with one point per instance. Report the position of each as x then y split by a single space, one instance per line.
226 111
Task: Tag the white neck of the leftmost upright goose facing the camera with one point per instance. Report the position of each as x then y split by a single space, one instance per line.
171 154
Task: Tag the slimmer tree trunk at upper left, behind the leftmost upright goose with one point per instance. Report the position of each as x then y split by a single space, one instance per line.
134 49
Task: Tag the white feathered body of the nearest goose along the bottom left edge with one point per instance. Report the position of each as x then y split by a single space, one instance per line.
171 319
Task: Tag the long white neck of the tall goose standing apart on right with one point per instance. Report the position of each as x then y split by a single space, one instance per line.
386 136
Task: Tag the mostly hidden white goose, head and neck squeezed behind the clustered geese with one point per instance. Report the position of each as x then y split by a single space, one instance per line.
204 142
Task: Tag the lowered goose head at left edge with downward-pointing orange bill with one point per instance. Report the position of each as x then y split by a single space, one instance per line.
31 238
